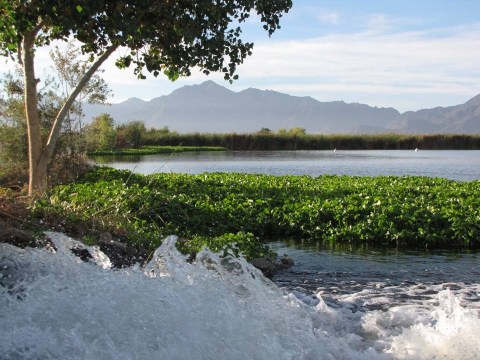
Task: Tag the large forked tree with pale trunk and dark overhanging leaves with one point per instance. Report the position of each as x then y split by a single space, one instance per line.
159 36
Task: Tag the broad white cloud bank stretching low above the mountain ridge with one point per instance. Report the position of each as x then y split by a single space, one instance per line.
406 70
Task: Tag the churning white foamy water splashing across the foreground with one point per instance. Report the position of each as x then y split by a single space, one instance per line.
55 306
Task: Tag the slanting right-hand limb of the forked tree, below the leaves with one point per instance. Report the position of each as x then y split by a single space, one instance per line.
57 125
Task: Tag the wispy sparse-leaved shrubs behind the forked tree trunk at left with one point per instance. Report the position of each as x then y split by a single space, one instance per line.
68 66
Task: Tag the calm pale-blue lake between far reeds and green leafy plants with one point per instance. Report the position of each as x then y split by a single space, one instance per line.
458 165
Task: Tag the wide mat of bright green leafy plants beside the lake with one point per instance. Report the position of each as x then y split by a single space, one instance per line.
218 209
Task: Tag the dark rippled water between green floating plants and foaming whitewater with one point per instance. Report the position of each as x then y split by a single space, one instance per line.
370 280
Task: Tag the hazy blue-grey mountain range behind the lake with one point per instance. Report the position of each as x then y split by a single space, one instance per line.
209 107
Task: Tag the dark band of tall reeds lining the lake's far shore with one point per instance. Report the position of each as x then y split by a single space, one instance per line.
299 141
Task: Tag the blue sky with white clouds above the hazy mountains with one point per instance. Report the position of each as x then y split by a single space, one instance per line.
405 54
